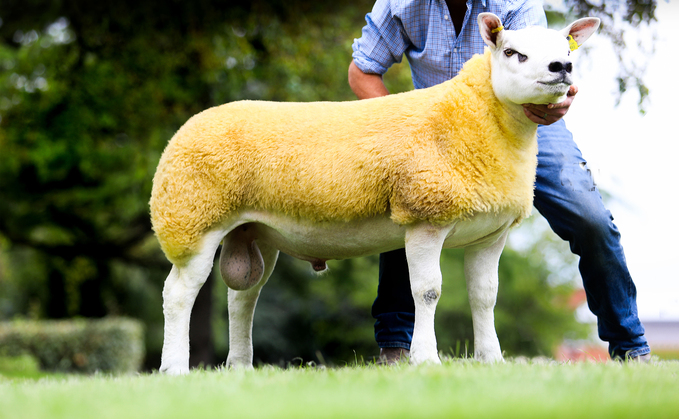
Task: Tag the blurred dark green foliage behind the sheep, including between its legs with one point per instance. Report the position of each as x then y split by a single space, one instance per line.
90 93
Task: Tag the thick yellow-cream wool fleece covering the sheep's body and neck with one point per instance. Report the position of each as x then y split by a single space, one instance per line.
436 154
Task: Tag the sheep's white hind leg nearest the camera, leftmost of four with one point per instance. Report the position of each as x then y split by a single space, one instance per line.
179 294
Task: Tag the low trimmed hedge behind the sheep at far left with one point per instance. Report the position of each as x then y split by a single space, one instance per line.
81 345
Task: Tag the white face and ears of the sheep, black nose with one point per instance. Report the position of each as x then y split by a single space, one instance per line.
533 65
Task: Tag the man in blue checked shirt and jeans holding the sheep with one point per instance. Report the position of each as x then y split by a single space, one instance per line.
437 37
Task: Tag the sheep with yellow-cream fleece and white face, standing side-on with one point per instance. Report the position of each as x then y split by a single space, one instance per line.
448 166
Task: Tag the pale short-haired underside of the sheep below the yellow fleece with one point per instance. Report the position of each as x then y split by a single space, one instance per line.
341 240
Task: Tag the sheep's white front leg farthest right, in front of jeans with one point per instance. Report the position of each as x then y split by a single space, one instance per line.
480 267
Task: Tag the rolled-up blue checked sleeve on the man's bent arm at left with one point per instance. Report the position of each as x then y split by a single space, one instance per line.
382 42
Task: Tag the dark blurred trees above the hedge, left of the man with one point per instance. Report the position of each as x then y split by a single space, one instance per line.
89 96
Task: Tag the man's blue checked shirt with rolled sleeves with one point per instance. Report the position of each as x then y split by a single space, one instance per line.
423 31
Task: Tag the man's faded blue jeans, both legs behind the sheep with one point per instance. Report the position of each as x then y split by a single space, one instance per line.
565 194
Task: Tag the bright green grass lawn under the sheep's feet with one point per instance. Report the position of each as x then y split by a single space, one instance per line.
459 388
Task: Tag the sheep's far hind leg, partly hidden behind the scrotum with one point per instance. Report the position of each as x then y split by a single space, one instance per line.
242 310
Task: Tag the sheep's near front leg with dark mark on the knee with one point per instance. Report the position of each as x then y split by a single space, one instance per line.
423 251
